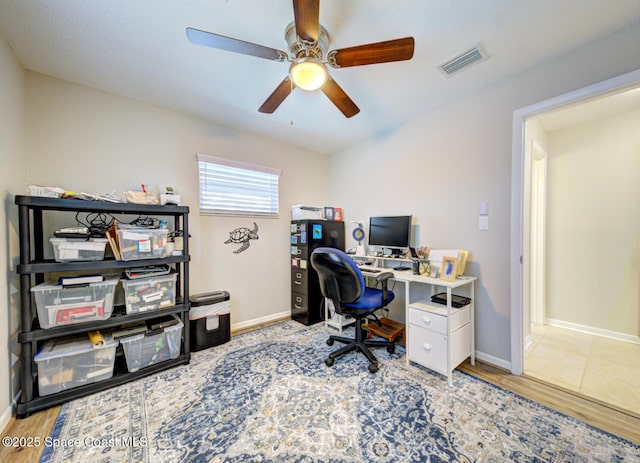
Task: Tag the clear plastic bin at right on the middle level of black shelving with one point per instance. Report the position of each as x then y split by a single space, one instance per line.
147 294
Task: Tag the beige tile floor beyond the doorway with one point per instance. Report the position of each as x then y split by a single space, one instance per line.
605 369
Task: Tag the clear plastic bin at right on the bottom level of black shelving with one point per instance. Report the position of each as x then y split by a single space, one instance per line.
142 350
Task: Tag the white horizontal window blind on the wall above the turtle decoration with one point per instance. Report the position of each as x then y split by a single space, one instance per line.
236 188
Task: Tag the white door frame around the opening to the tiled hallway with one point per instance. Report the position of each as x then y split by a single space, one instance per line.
518 305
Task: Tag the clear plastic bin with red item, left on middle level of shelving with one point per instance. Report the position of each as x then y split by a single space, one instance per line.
59 305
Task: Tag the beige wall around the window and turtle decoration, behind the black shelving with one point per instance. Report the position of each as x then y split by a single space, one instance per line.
87 140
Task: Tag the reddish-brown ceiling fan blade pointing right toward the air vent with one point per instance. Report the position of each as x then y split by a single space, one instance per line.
373 53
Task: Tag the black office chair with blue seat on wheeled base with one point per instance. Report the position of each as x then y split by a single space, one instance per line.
343 283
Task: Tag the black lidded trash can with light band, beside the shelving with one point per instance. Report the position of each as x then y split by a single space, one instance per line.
209 320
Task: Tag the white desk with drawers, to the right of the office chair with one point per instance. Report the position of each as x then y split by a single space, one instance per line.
438 337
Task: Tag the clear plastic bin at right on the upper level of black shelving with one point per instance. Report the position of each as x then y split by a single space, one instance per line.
142 243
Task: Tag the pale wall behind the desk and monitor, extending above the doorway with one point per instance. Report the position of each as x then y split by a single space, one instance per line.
442 165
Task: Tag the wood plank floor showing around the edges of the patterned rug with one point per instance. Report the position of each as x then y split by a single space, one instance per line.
600 415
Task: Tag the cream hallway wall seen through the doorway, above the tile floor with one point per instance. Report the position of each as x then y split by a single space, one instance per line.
593 251
